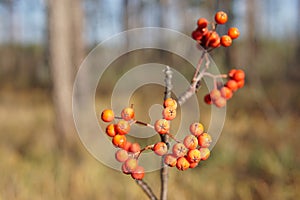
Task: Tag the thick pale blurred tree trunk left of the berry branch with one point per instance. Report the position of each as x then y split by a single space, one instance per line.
66 51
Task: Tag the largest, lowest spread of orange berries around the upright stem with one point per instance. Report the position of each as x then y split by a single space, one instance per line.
185 154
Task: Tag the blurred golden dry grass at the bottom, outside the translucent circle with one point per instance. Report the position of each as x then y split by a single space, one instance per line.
257 157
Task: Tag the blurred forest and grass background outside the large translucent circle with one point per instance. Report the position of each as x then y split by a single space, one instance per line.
42 44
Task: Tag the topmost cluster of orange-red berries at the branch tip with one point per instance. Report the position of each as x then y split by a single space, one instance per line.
207 36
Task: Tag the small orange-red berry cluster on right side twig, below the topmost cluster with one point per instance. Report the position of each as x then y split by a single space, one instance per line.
221 93
